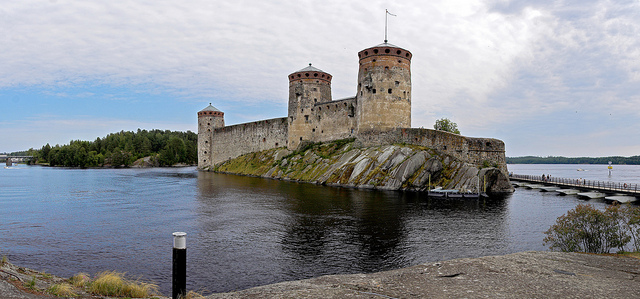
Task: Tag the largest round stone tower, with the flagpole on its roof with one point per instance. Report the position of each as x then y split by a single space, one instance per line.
384 88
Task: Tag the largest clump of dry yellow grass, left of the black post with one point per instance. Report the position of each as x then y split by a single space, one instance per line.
111 283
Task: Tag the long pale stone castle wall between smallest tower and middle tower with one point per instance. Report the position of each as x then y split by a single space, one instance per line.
232 141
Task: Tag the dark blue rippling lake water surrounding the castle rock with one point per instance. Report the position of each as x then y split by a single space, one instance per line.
245 232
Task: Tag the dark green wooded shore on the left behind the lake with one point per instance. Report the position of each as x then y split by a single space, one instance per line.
121 149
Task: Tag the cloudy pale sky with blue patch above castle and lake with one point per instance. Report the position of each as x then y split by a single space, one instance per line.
549 78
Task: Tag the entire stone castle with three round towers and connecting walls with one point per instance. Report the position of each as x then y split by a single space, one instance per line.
379 113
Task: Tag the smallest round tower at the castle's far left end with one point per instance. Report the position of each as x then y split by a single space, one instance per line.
209 119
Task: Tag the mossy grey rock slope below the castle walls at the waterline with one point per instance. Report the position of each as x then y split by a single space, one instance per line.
387 167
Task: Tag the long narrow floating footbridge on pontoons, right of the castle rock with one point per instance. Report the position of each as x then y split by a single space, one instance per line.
584 185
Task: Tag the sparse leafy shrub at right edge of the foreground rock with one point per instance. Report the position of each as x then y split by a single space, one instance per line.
587 229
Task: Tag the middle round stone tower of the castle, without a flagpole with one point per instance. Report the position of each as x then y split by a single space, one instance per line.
307 87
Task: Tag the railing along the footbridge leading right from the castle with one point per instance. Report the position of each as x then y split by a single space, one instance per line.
581 183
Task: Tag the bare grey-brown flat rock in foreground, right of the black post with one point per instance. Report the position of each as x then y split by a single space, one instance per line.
518 275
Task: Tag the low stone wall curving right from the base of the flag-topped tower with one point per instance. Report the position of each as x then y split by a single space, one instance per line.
468 149
